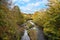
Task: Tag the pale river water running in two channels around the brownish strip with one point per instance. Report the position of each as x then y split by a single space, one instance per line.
39 33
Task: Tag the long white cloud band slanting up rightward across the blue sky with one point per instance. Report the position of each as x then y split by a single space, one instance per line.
33 6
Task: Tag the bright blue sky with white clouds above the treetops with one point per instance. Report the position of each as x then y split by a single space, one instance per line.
30 6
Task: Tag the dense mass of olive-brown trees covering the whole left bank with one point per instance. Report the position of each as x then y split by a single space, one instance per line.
10 24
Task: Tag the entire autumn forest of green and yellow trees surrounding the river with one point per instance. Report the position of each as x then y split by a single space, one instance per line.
12 20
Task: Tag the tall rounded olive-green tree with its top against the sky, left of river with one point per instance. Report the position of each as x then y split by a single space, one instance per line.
18 16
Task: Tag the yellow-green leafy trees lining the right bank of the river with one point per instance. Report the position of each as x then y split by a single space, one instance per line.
50 20
